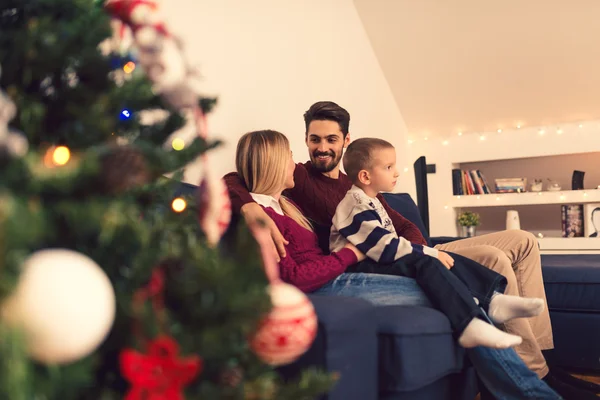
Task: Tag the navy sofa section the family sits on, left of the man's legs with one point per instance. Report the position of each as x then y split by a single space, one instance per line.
391 352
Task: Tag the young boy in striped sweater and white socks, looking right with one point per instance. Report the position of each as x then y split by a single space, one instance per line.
452 286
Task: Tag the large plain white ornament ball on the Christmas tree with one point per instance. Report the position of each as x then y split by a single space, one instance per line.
65 304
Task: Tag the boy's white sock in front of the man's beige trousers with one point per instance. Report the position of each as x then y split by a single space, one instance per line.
505 307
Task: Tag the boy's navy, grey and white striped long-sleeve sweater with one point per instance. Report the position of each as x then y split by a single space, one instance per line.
363 221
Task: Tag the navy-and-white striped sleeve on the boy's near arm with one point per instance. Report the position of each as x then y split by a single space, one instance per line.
363 229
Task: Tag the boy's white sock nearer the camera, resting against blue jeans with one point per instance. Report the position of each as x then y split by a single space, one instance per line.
480 333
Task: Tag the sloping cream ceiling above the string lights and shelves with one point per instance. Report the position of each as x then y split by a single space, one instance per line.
477 65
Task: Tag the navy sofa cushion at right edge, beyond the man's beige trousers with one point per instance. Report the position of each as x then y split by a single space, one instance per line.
572 282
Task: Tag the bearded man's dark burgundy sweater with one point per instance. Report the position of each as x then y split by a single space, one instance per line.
318 197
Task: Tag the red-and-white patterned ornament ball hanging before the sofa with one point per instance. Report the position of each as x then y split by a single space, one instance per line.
289 329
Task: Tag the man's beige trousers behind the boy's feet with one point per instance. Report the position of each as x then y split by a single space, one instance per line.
515 254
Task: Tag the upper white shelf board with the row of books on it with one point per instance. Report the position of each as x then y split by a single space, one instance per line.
527 198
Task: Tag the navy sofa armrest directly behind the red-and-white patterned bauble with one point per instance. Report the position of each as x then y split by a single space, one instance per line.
346 343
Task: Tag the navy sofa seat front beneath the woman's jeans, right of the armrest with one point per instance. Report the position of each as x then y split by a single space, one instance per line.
416 347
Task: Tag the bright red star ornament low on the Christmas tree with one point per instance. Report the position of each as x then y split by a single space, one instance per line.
160 374
